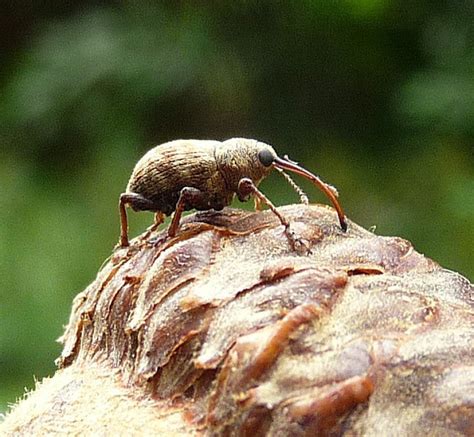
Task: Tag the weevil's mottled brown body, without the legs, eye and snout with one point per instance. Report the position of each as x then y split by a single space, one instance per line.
214 168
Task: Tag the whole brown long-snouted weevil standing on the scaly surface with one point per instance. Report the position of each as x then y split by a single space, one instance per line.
201 174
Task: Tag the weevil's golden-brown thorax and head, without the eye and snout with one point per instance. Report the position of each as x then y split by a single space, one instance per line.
238 158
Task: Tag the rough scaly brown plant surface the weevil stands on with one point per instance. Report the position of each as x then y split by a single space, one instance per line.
224 330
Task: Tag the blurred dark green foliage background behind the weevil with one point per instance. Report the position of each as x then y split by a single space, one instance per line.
376 96
